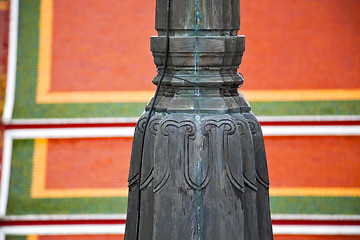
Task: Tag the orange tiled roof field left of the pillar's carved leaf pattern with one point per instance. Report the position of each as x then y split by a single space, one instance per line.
88 163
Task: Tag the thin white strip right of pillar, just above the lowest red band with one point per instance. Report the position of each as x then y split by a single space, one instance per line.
314 217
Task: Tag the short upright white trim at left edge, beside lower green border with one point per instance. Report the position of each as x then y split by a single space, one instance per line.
5 173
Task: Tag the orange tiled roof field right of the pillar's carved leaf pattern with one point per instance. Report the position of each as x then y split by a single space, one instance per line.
314 161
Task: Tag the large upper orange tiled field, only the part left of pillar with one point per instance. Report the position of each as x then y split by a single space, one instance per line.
102 45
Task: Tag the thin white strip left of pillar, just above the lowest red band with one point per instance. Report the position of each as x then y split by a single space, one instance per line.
70 217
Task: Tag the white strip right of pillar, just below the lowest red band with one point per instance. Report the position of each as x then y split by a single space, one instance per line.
316 230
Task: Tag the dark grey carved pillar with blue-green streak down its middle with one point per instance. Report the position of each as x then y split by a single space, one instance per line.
204 172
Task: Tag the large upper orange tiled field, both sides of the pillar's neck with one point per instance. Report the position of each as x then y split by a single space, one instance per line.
290 46
